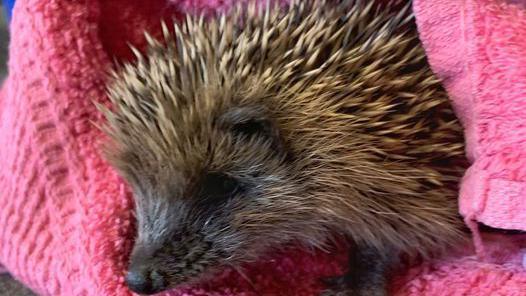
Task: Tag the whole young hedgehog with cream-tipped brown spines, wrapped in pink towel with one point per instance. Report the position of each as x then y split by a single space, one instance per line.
273 125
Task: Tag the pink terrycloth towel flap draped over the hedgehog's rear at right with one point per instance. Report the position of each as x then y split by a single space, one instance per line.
478 47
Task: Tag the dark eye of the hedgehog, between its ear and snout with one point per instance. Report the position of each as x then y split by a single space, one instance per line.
218 186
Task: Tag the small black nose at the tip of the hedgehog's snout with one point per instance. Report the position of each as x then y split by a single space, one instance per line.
144 281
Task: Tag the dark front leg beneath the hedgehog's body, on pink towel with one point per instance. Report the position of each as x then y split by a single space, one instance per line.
367 275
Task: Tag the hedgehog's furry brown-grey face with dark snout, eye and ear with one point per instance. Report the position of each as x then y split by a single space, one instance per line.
218 195
